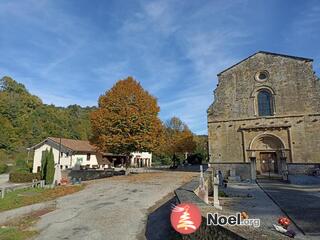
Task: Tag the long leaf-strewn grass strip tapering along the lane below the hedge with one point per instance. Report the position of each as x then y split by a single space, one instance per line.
28 196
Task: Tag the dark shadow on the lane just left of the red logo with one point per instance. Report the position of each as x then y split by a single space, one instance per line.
158 223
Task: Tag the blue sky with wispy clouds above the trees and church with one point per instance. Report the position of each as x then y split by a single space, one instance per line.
72 51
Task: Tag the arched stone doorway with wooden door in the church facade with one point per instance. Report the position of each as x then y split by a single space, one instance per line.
267 149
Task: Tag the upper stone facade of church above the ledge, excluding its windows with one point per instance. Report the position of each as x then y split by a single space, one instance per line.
296 87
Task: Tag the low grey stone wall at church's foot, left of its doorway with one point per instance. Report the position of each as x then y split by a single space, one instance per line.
241 169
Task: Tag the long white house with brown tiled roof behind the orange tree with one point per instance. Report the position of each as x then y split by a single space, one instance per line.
82 153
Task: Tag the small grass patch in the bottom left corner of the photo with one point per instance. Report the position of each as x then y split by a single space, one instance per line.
20 228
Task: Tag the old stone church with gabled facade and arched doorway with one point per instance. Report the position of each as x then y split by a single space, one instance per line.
266 107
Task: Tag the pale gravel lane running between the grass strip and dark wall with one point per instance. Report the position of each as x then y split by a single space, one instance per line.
112 208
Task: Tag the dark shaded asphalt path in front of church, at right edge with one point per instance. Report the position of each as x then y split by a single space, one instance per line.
300 203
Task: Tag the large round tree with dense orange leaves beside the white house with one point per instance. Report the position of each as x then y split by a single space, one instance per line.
127 120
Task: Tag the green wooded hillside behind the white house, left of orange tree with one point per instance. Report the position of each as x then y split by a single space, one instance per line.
25 120
